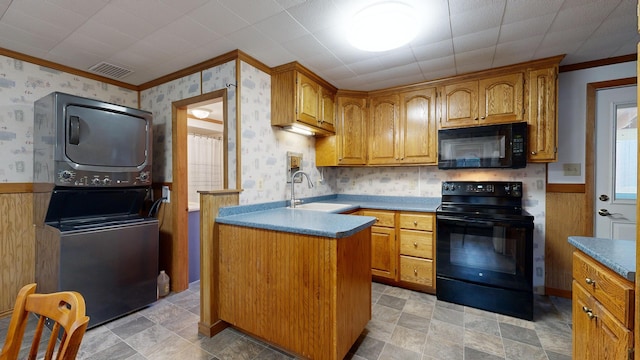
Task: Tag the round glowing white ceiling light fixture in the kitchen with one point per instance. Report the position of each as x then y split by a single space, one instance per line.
383 26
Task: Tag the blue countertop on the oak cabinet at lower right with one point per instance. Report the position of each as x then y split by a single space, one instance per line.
617 255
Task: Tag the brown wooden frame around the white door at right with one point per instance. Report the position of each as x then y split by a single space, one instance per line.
590 143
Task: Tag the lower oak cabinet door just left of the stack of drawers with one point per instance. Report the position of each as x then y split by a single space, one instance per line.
383 252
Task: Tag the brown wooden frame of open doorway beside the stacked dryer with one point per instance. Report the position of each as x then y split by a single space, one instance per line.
179 252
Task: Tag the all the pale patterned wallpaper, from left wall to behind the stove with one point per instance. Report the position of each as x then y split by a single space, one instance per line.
263 147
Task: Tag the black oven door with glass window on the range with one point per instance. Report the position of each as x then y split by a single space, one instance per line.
484 251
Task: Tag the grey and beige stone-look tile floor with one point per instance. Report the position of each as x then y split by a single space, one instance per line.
405 325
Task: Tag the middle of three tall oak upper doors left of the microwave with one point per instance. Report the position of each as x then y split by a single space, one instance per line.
383 130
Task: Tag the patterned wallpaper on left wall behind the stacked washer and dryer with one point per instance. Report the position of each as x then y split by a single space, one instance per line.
21 84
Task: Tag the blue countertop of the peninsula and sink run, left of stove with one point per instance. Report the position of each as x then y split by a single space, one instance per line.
277 216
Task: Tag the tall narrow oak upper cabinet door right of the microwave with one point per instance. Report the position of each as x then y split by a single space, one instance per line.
543 124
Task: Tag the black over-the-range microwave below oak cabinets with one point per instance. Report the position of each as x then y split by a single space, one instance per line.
490 146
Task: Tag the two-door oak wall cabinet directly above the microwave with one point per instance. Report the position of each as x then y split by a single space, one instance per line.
490 100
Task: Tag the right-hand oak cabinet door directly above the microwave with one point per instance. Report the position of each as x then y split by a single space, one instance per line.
501 99
